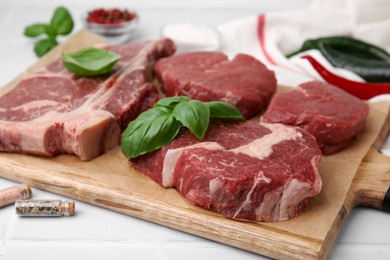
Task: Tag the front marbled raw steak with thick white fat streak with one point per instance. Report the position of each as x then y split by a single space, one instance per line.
246 171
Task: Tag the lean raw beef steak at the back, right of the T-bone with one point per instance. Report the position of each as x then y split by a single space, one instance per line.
209 76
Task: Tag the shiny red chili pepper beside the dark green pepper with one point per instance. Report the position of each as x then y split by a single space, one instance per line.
361 90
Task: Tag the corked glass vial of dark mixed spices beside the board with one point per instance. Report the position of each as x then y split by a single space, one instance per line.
44 208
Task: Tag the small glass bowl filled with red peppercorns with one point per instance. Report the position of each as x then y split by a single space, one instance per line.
115 25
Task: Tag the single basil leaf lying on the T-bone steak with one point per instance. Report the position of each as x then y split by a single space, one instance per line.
90 61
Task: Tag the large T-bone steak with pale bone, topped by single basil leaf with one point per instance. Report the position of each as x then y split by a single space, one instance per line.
53 111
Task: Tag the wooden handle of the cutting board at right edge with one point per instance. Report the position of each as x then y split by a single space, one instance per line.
371 185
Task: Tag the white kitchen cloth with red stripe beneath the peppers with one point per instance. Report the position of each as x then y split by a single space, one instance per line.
270 36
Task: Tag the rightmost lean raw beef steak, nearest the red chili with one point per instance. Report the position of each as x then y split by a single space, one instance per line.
330 114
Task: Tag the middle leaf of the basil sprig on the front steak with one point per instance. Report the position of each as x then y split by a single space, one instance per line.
194 115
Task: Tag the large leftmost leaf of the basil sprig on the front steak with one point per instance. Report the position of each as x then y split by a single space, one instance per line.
151 130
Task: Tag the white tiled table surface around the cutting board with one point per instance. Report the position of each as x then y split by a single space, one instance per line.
97 233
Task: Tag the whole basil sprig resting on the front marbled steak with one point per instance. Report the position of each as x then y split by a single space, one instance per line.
159 125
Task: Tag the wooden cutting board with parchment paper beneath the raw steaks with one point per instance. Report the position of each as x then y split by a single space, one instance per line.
109 182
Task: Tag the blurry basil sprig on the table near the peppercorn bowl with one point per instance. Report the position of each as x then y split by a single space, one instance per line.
61 23
